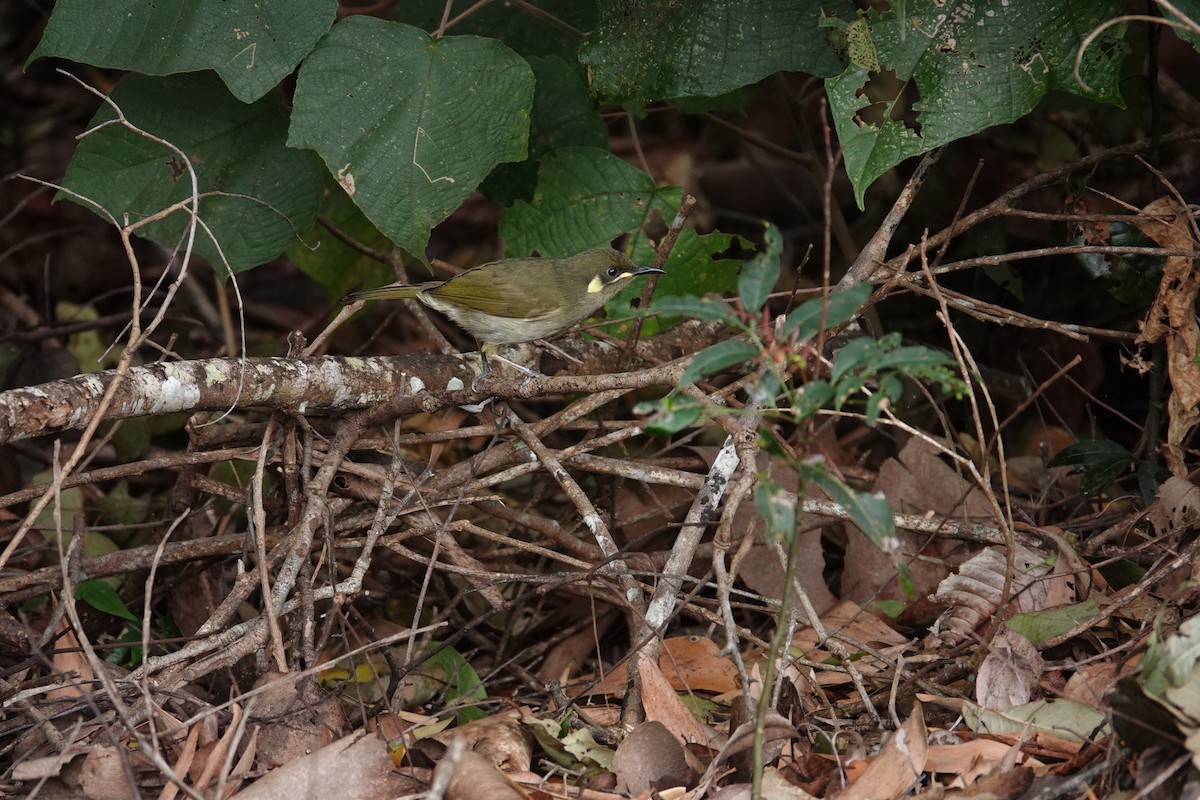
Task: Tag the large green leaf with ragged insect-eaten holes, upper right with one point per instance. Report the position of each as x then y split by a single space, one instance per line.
976 67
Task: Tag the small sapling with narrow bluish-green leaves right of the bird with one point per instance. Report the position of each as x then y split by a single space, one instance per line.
793 383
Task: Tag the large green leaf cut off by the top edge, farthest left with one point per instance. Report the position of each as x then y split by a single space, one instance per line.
253 45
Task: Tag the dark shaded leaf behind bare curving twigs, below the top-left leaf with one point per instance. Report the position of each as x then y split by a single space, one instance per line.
235 148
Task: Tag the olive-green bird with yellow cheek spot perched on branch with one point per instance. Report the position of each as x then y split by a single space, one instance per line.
520 300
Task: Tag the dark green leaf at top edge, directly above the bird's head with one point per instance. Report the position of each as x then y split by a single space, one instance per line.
656 50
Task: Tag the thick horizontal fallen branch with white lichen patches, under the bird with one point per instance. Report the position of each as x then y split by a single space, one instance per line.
418 382
